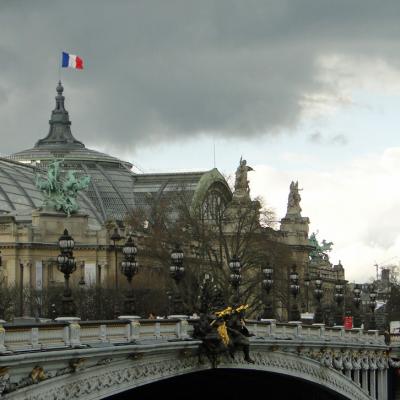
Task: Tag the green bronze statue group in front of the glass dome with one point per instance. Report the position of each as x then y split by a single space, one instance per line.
60 192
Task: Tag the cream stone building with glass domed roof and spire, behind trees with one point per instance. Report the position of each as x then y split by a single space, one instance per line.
29 231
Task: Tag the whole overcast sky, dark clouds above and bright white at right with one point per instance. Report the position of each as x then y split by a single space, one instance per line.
304 90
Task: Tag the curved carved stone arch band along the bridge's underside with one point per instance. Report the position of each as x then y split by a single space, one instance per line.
110 377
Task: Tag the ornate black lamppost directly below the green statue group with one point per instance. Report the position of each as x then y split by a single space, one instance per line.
66 264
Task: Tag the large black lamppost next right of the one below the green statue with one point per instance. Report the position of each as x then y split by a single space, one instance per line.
129 267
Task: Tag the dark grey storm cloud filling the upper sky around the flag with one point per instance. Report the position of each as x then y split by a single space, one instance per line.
167 70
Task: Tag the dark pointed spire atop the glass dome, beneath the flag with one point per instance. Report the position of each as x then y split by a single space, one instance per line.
60 126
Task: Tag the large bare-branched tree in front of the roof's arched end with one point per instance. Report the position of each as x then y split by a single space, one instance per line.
211 234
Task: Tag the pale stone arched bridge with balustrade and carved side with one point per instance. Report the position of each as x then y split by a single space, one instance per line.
96 359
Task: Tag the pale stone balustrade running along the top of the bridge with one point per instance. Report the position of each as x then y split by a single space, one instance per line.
72 333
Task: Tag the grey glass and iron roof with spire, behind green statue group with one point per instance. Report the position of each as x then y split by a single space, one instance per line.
114 189
